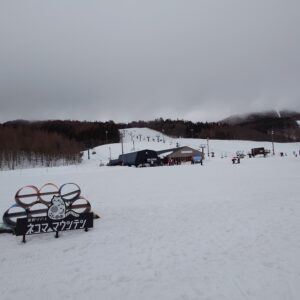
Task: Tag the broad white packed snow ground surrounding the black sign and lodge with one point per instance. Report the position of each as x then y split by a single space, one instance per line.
217 231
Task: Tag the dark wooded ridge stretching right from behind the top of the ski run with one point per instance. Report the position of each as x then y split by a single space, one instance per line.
284 129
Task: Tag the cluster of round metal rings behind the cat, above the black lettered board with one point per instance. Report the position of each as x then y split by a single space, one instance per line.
29 196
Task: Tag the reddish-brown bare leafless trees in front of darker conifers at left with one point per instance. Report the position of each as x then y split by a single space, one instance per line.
22 147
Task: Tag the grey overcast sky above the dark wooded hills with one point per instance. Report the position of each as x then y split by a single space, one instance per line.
127 60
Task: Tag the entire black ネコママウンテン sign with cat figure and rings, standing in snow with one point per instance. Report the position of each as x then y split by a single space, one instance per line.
49 209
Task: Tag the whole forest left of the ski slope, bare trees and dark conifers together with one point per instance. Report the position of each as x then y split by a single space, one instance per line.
50 143
